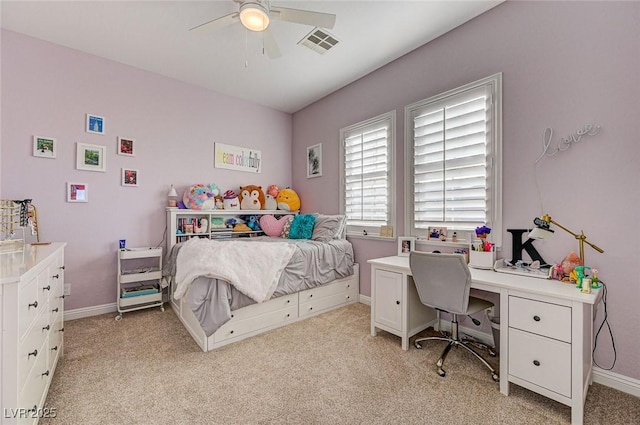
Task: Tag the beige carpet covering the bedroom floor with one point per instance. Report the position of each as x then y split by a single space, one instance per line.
146 369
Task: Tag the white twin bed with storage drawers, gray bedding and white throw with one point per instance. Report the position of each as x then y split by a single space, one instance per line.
226 291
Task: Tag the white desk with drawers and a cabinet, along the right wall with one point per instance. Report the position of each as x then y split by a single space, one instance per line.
546 327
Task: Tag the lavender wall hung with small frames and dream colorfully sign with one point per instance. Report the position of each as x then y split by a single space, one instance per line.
48 89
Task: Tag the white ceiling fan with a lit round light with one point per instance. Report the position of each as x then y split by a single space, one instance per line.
255 15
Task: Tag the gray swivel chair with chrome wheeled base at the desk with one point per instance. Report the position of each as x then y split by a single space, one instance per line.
443 282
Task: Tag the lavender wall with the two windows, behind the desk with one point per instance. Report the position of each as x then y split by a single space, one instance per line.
564 64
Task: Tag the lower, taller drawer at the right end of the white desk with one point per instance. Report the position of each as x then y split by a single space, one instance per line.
542 361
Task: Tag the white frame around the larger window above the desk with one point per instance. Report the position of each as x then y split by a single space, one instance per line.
494 158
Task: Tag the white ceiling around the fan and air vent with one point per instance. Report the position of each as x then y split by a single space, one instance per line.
155 36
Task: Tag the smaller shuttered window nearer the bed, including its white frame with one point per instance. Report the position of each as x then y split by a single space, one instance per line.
367 169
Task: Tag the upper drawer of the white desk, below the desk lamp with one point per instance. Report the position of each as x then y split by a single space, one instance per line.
550 320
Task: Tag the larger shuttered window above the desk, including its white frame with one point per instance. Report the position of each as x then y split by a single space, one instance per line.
454 160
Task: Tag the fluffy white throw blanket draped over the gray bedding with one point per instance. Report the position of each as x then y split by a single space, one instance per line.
252 268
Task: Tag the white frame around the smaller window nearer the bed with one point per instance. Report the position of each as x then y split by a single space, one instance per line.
373 231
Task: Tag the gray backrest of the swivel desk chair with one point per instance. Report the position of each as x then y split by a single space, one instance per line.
442 280
